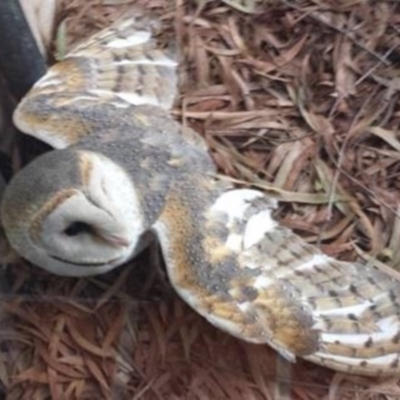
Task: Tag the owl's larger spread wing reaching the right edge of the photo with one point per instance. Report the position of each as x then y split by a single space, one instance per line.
248 275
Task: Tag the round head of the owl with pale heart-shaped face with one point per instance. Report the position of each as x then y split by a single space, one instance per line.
73 213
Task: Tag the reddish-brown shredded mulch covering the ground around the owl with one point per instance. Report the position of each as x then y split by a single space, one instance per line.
297 98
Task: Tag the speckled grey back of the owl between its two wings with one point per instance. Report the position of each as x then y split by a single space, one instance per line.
158 157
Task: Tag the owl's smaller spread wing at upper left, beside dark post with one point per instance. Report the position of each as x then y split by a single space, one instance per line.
117 68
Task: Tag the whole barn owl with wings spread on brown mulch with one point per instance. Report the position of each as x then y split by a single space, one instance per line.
123 168
